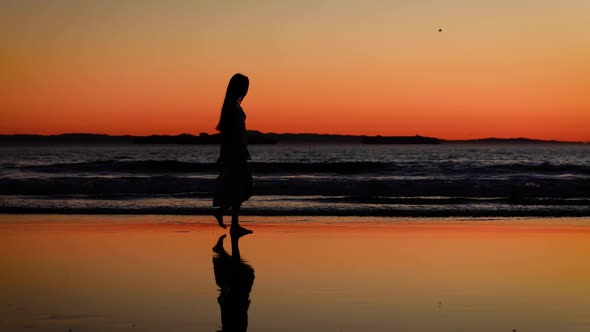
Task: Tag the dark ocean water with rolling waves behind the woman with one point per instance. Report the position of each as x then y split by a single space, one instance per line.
315 179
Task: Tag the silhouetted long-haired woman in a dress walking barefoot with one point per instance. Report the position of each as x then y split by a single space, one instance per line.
234 184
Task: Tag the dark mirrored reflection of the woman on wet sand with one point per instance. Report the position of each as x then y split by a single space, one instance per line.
235 279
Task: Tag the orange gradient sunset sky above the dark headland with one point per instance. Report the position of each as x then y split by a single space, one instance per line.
499 68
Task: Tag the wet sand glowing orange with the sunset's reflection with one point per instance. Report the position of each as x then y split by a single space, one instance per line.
156 273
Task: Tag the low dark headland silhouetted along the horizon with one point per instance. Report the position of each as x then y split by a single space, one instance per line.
254 137
